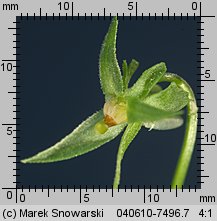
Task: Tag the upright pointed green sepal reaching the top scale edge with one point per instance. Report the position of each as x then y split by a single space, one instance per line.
110 74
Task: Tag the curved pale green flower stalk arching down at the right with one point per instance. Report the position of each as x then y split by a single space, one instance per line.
190 132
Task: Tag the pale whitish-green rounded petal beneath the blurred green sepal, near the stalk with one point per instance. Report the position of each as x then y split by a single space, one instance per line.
165 124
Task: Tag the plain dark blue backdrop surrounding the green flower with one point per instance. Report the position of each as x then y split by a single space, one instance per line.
60 88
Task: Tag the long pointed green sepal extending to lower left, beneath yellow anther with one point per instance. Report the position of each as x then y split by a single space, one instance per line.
83 139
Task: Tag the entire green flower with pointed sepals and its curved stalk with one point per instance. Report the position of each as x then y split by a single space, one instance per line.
143 104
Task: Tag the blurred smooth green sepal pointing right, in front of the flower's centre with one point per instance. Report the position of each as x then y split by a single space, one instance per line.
138 111
